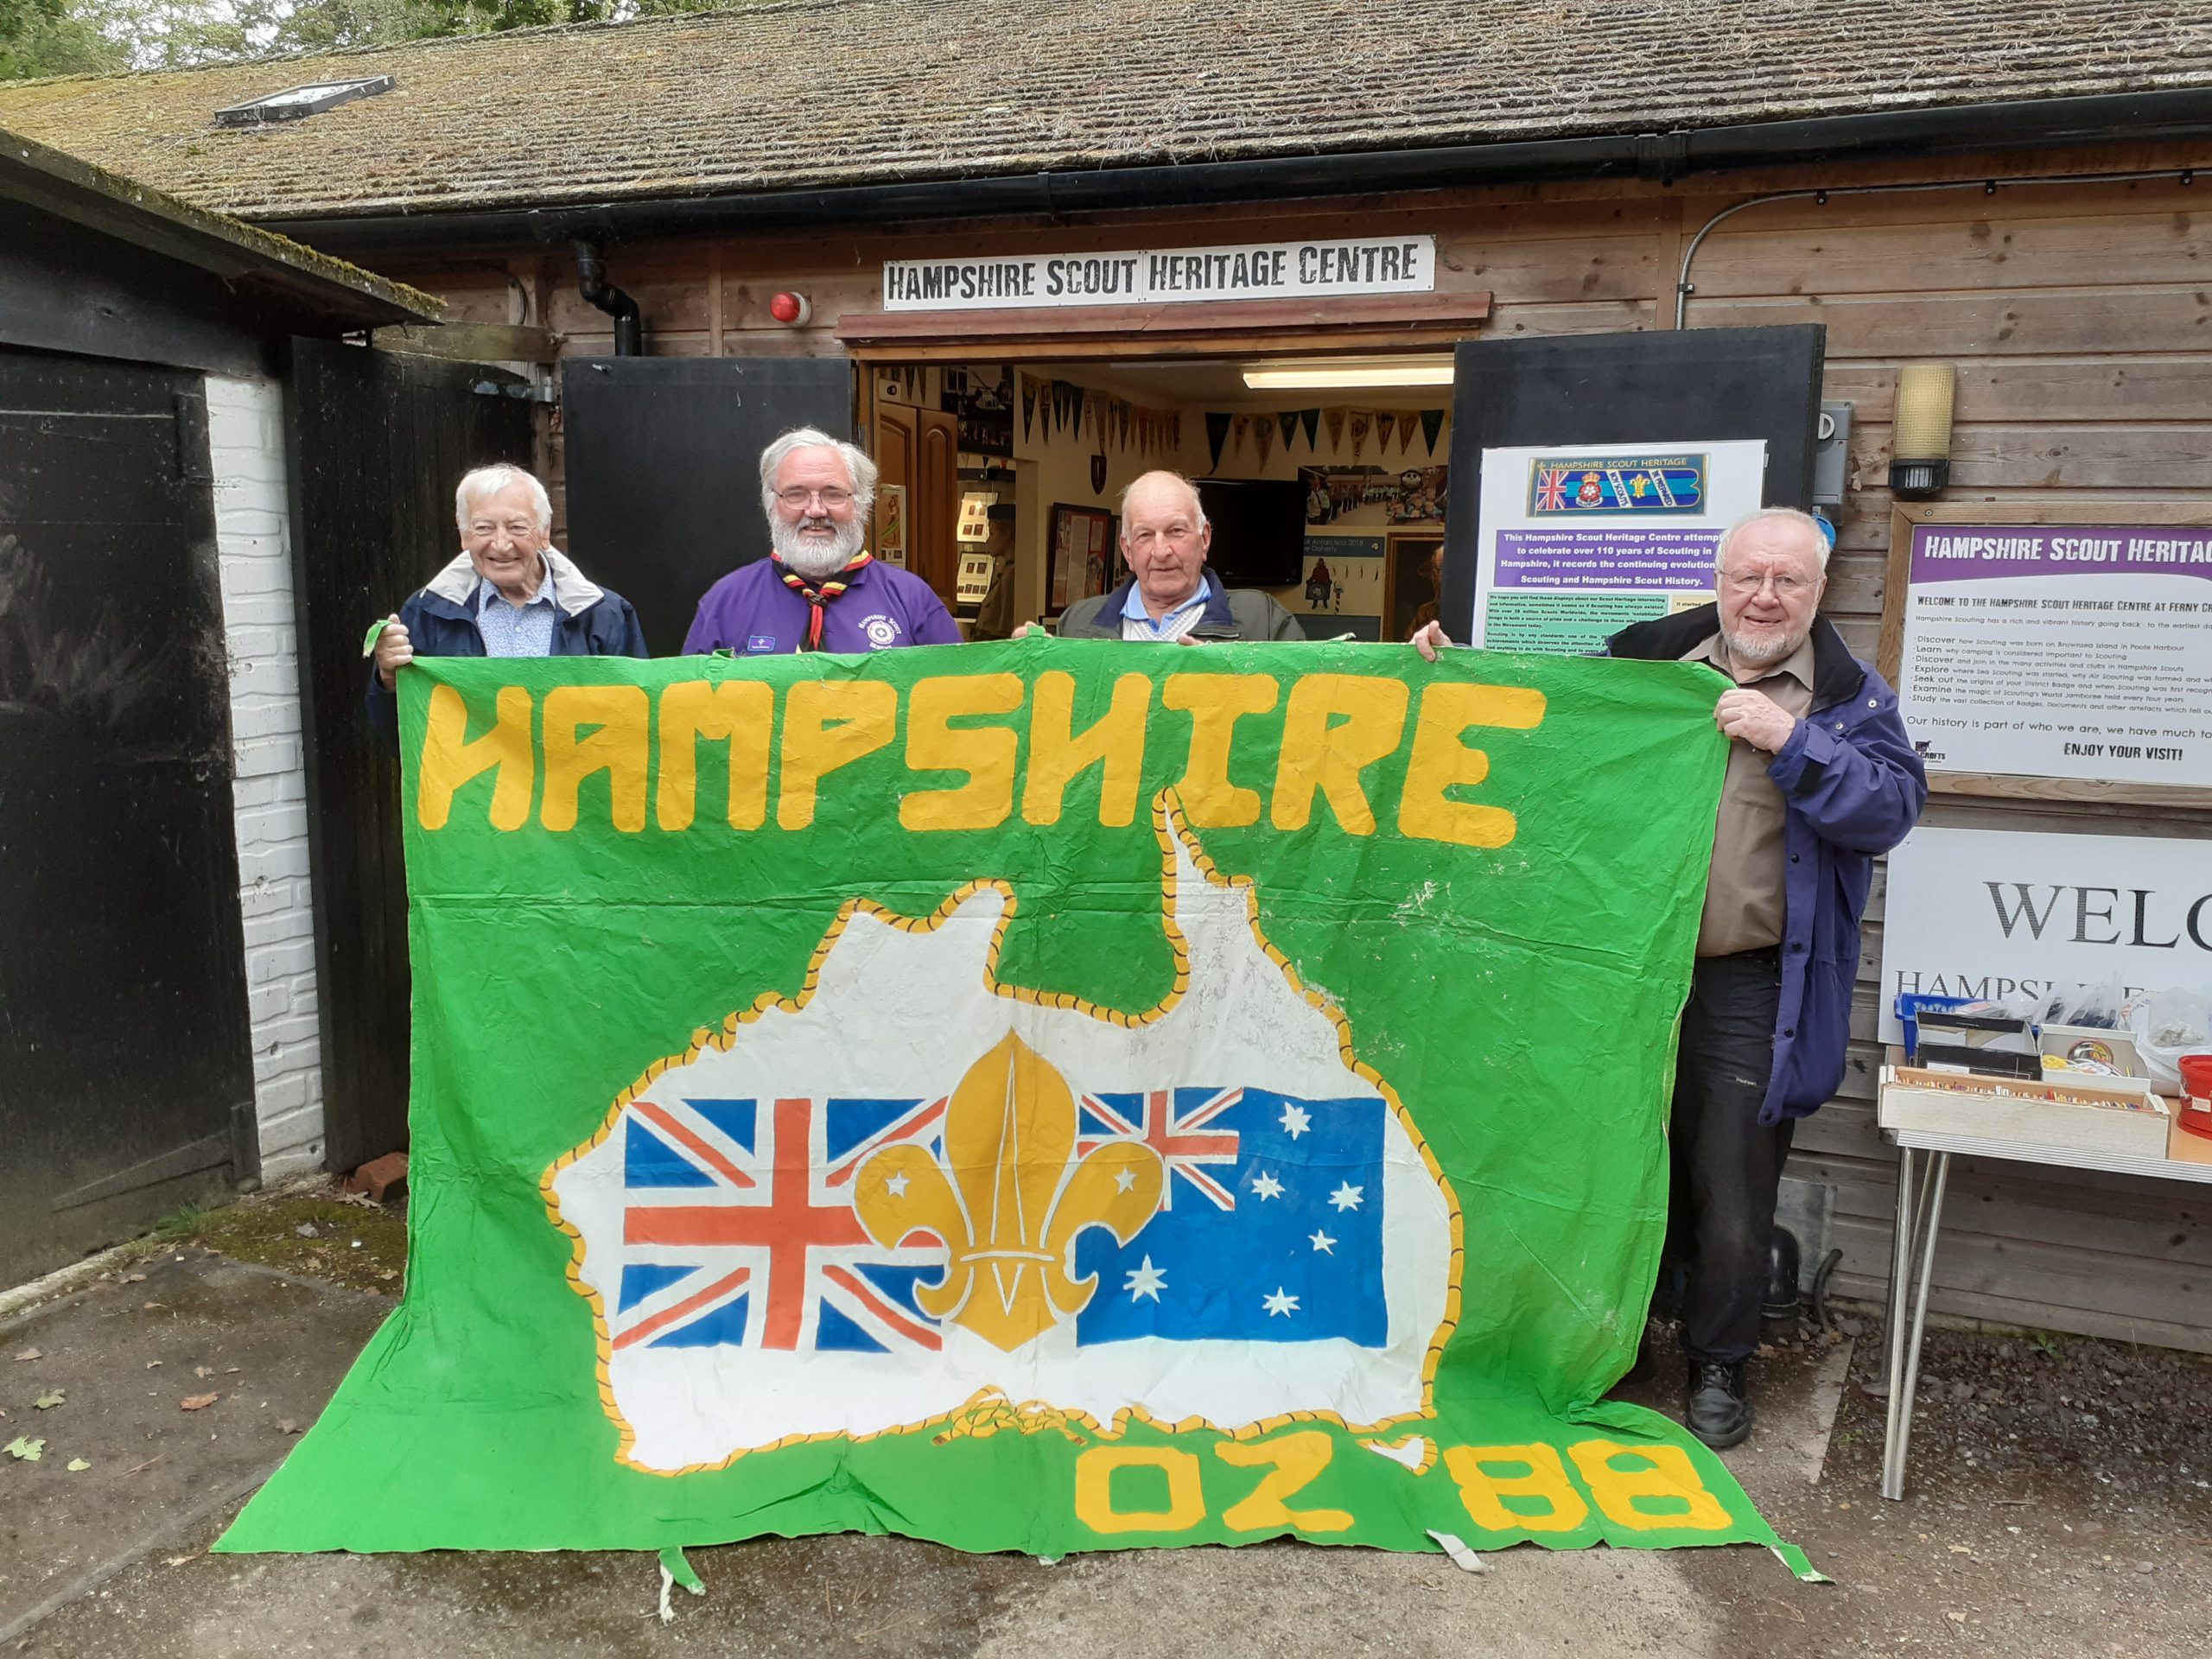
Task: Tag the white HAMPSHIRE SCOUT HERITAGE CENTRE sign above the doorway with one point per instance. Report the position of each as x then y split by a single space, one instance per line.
1151 278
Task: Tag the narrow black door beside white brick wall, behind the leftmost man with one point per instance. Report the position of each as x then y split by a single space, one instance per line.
379 444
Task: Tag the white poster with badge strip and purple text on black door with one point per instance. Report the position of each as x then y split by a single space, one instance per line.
1574 545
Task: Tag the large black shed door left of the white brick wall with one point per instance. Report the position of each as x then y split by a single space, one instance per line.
125 1061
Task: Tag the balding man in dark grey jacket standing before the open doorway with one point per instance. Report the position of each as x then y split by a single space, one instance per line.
1171 594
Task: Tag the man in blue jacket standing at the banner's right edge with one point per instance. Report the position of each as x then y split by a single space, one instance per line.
1822 780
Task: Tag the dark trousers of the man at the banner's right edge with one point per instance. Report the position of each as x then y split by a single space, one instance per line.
1726 1169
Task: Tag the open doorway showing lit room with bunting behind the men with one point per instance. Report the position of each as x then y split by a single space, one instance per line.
1322 477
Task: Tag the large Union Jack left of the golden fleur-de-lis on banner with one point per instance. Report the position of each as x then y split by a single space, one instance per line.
740 1227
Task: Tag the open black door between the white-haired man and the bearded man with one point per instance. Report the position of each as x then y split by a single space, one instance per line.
662 466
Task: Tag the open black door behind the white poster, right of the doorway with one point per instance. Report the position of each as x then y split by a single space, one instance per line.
1693 386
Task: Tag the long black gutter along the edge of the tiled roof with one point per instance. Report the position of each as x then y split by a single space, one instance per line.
2054 123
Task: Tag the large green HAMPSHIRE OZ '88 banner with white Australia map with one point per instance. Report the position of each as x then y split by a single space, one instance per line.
1036 1098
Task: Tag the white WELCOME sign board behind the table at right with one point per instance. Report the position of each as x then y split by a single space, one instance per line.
1992 912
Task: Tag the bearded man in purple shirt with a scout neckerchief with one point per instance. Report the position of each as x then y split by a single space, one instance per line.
820 589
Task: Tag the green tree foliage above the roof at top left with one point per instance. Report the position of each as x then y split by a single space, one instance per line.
96 36
